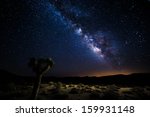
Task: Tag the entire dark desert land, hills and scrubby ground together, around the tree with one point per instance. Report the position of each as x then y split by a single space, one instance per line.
115 87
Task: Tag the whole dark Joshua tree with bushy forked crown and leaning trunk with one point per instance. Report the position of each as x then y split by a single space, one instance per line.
40 67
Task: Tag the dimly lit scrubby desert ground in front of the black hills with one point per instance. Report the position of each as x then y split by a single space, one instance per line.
58 90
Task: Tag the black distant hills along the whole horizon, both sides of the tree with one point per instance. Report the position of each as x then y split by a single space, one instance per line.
132 79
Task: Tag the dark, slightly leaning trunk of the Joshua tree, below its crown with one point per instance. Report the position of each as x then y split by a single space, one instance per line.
36 87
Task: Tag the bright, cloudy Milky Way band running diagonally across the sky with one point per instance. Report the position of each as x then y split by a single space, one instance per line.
99 43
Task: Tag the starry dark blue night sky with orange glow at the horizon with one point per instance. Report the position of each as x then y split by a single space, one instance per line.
83 37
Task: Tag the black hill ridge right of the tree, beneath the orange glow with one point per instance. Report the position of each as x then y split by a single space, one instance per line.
132 79
